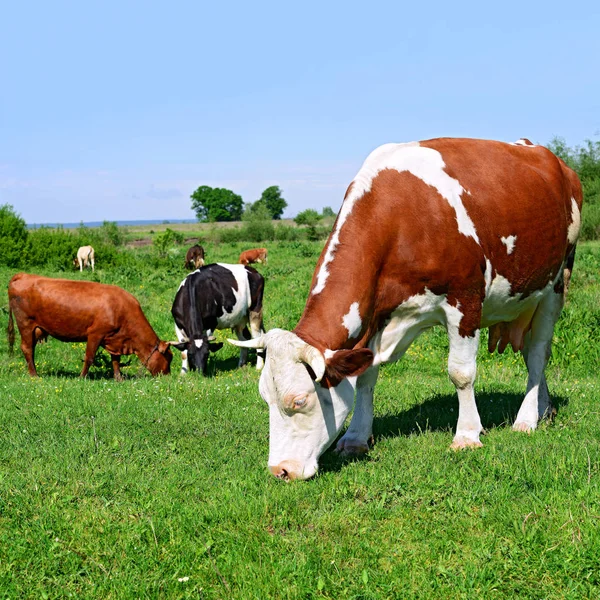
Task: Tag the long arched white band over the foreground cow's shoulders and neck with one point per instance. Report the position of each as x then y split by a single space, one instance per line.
425 163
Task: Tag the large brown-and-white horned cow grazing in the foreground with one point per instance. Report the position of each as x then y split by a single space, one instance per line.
461 233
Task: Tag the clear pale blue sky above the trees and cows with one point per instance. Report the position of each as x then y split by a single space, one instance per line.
119 110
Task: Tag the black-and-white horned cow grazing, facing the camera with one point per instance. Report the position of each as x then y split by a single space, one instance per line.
217 296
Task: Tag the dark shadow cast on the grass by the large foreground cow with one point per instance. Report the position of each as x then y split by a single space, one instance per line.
439 413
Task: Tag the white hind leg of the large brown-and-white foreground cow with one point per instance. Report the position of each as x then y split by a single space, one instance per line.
536 352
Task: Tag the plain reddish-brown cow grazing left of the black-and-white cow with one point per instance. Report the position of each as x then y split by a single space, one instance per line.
83 311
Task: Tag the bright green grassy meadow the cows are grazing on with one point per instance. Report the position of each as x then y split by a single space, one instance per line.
158 487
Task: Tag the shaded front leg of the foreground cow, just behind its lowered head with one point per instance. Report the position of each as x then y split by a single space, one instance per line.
357 439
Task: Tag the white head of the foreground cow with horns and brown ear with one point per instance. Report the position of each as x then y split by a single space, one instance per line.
306 414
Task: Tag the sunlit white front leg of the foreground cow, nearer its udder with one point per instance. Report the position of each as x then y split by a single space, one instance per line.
462 367
